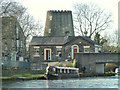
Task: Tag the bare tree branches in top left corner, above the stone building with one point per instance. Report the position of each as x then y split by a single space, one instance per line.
12 9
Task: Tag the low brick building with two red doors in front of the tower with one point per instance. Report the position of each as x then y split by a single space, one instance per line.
48 48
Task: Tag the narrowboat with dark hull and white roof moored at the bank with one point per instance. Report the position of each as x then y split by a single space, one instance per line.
55 72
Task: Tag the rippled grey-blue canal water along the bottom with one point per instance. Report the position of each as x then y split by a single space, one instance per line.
87 82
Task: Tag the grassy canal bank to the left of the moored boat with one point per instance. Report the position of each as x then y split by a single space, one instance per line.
21 74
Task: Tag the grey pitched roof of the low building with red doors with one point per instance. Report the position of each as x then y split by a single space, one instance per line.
48 40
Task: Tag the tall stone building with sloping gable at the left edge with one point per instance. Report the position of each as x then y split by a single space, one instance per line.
10 26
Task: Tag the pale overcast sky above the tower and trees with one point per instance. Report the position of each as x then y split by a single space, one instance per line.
38 8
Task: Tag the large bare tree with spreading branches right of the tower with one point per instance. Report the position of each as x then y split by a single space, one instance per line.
89 19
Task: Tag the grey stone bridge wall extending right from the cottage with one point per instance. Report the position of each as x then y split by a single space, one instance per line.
90 60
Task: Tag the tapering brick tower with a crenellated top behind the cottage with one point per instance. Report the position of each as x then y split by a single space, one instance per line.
59 23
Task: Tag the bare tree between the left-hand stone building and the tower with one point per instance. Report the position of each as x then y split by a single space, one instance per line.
30 26
